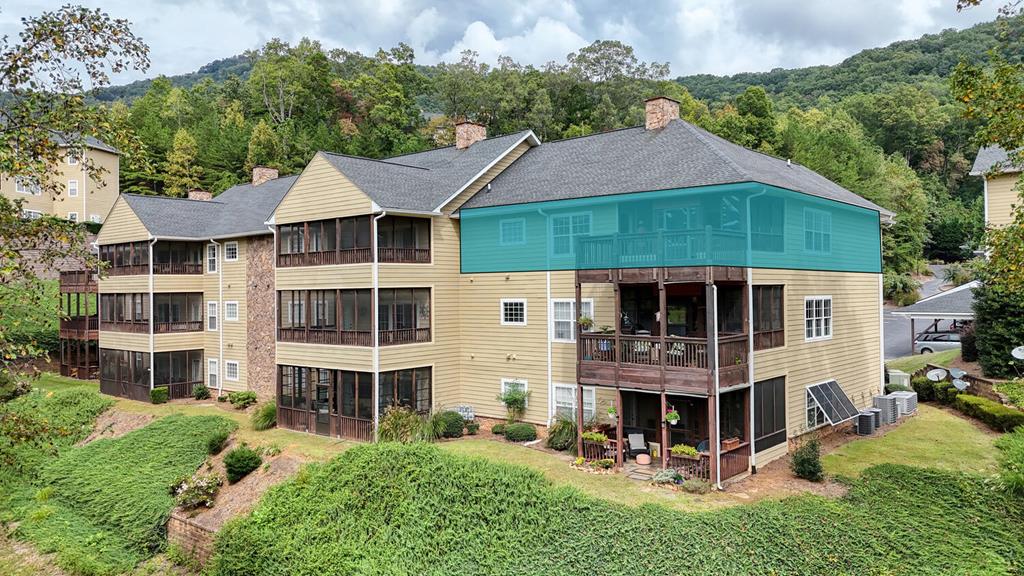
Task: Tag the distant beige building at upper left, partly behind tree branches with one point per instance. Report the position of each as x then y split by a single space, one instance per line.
80 198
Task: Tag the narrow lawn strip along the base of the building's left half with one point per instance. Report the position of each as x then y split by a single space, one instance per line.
306 446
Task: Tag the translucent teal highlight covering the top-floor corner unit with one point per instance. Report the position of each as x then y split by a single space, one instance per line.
744 225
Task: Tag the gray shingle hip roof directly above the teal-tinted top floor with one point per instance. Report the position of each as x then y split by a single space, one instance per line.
638 160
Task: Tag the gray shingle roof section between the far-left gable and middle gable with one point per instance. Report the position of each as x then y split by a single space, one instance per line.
240 211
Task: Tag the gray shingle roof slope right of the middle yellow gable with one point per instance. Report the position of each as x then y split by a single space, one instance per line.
424 180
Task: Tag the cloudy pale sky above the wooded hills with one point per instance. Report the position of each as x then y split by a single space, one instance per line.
695 36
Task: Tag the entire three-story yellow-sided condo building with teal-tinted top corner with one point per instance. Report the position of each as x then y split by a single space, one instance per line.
371 276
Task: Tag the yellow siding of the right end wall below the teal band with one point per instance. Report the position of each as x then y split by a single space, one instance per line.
852 356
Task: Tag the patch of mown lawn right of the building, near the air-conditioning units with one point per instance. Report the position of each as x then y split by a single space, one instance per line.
934 438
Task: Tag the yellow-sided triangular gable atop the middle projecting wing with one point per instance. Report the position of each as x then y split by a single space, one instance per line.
322 192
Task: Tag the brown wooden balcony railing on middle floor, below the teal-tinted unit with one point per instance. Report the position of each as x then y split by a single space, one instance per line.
682 365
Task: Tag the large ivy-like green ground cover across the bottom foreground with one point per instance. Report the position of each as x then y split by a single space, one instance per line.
392 509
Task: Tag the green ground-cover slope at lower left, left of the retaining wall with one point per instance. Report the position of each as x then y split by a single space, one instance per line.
104 507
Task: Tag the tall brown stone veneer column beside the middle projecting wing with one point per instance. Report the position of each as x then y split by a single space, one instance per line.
262 323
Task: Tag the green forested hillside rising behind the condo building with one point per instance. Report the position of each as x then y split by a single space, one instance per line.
882 124
